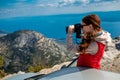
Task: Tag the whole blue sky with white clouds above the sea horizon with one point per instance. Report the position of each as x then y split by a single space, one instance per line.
20 8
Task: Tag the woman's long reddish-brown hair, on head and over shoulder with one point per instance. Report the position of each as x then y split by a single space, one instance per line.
89 36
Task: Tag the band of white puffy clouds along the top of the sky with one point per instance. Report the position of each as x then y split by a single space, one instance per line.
68 3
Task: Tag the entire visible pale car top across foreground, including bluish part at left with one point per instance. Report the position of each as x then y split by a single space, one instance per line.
71 73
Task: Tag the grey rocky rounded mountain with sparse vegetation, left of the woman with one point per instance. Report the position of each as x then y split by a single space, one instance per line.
23 49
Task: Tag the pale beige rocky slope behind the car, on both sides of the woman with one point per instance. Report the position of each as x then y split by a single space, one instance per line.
110 60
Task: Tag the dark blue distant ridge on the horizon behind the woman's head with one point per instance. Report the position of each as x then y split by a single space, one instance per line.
104 15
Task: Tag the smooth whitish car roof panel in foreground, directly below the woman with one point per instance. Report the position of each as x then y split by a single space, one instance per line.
90 74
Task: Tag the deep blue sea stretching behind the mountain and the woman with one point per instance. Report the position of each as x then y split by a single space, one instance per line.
54 26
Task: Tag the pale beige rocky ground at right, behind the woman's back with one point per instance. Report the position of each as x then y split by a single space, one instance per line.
111 58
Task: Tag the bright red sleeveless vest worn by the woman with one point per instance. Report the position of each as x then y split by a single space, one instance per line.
92 61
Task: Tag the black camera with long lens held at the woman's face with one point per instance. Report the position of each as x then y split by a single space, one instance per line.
77 30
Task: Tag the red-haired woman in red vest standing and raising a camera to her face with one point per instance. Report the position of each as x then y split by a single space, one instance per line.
94 41
